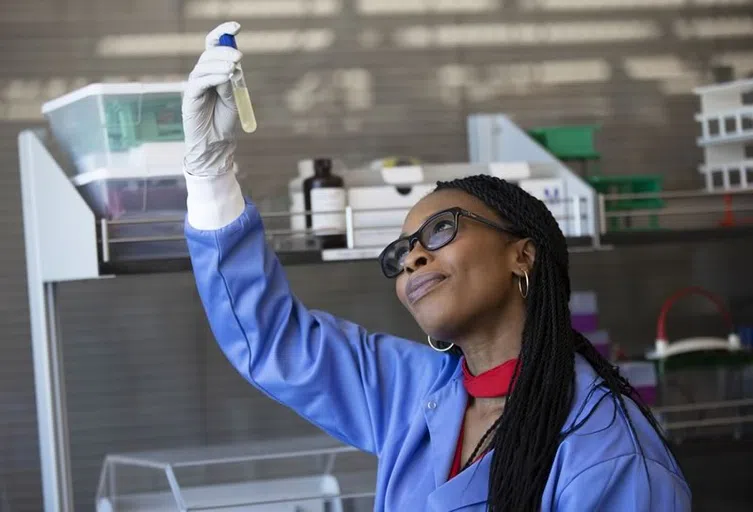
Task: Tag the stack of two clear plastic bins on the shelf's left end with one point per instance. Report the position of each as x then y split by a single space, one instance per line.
125 144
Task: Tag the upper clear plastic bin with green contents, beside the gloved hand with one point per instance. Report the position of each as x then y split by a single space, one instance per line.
119 126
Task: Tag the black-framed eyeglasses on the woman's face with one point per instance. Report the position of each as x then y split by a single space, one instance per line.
436 232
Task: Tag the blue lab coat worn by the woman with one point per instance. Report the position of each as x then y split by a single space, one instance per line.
402 401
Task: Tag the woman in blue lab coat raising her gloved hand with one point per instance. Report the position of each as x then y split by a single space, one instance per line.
521 414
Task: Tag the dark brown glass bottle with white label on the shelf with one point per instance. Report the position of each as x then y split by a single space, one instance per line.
325 192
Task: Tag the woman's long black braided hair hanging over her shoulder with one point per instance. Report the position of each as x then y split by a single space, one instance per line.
525 438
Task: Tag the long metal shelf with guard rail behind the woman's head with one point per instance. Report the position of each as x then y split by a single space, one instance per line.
300 247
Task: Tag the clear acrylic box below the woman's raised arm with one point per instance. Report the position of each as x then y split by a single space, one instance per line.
306 474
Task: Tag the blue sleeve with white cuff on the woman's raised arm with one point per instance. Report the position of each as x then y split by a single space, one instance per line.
355 386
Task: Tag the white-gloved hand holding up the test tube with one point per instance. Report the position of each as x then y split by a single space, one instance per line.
209 112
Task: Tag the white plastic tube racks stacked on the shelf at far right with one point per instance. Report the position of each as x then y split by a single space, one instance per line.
726 119
